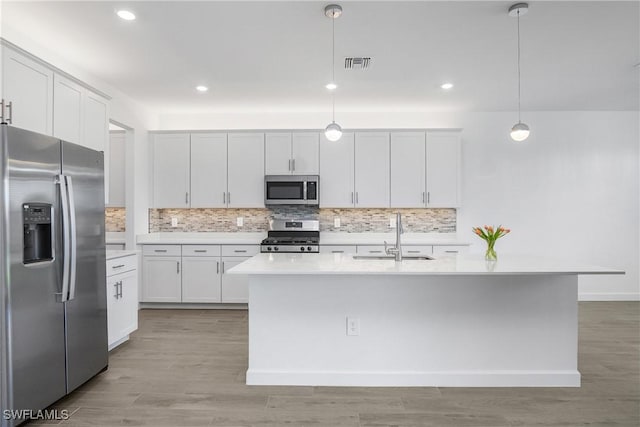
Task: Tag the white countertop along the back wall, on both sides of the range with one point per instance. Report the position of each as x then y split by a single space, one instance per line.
326 238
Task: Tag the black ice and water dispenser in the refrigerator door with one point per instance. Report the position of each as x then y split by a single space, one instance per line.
37 238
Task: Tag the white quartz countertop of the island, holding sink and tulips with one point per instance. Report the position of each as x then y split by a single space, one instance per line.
344 264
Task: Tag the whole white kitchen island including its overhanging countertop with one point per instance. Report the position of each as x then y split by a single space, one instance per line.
332 320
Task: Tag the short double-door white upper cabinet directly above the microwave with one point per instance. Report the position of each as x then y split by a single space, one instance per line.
292 153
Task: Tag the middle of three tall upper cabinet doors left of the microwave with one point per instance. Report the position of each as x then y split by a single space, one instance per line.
208 170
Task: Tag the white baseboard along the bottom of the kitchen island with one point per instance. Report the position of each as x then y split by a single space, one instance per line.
567 378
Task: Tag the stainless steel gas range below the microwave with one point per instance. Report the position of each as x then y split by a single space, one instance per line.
292 235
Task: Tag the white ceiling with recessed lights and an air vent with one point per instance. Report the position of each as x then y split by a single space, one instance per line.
276 56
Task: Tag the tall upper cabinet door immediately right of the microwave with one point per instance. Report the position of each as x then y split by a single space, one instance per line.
336 172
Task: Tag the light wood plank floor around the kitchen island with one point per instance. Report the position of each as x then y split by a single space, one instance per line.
186 368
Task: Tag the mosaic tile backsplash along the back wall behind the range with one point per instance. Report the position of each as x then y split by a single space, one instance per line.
351 220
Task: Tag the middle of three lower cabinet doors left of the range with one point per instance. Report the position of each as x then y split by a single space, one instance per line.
200 279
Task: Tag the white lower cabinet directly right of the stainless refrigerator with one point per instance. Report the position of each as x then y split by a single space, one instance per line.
122 299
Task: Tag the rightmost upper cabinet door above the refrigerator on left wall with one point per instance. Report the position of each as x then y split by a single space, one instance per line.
96 123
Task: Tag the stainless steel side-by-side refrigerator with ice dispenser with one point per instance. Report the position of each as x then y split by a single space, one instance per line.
52 265
